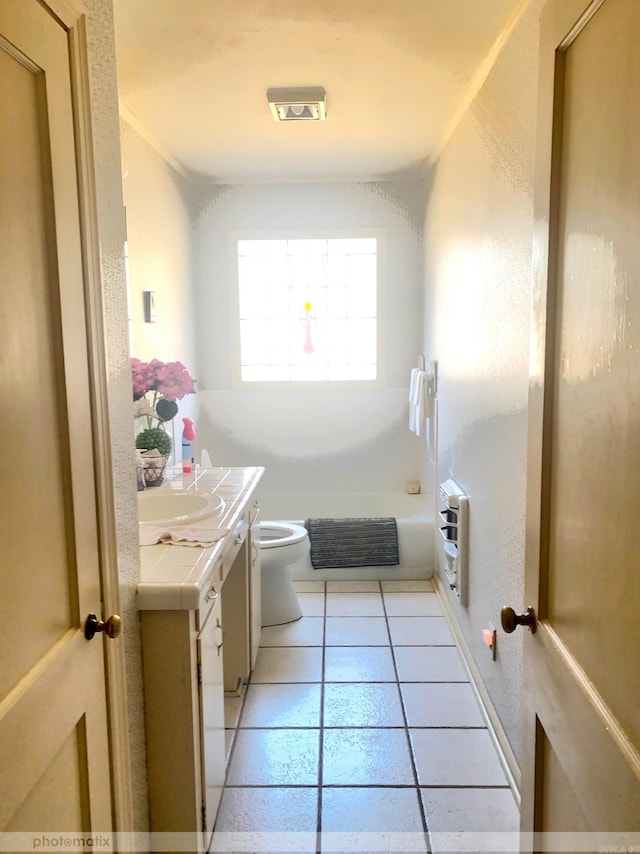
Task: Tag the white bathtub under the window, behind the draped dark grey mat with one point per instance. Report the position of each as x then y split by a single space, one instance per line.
415 529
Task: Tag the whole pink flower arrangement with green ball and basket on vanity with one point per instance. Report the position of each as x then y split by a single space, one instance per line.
156 388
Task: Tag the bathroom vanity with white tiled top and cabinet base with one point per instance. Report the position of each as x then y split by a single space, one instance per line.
200 626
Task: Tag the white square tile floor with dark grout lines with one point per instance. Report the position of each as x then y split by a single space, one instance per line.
360 732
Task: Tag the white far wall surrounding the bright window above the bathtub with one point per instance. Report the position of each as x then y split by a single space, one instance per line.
328 439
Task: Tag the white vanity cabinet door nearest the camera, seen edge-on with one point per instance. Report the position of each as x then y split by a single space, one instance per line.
212 732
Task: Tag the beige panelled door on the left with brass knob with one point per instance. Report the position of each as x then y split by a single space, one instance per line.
54 762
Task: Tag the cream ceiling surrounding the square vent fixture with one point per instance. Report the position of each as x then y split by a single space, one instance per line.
193 74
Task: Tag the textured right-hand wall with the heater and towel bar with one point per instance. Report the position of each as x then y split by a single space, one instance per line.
477 309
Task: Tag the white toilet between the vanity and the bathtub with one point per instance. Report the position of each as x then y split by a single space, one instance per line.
281 544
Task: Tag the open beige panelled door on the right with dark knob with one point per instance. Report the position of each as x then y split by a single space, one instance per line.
581 748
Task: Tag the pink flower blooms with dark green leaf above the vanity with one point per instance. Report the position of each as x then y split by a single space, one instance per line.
169 381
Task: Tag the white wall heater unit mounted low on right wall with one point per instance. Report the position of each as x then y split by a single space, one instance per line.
454 513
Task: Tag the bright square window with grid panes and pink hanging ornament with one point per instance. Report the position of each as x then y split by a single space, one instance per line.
308 307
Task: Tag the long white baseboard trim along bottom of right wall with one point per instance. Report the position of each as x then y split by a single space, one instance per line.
496 730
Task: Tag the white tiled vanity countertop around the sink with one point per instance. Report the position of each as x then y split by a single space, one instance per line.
173 577
